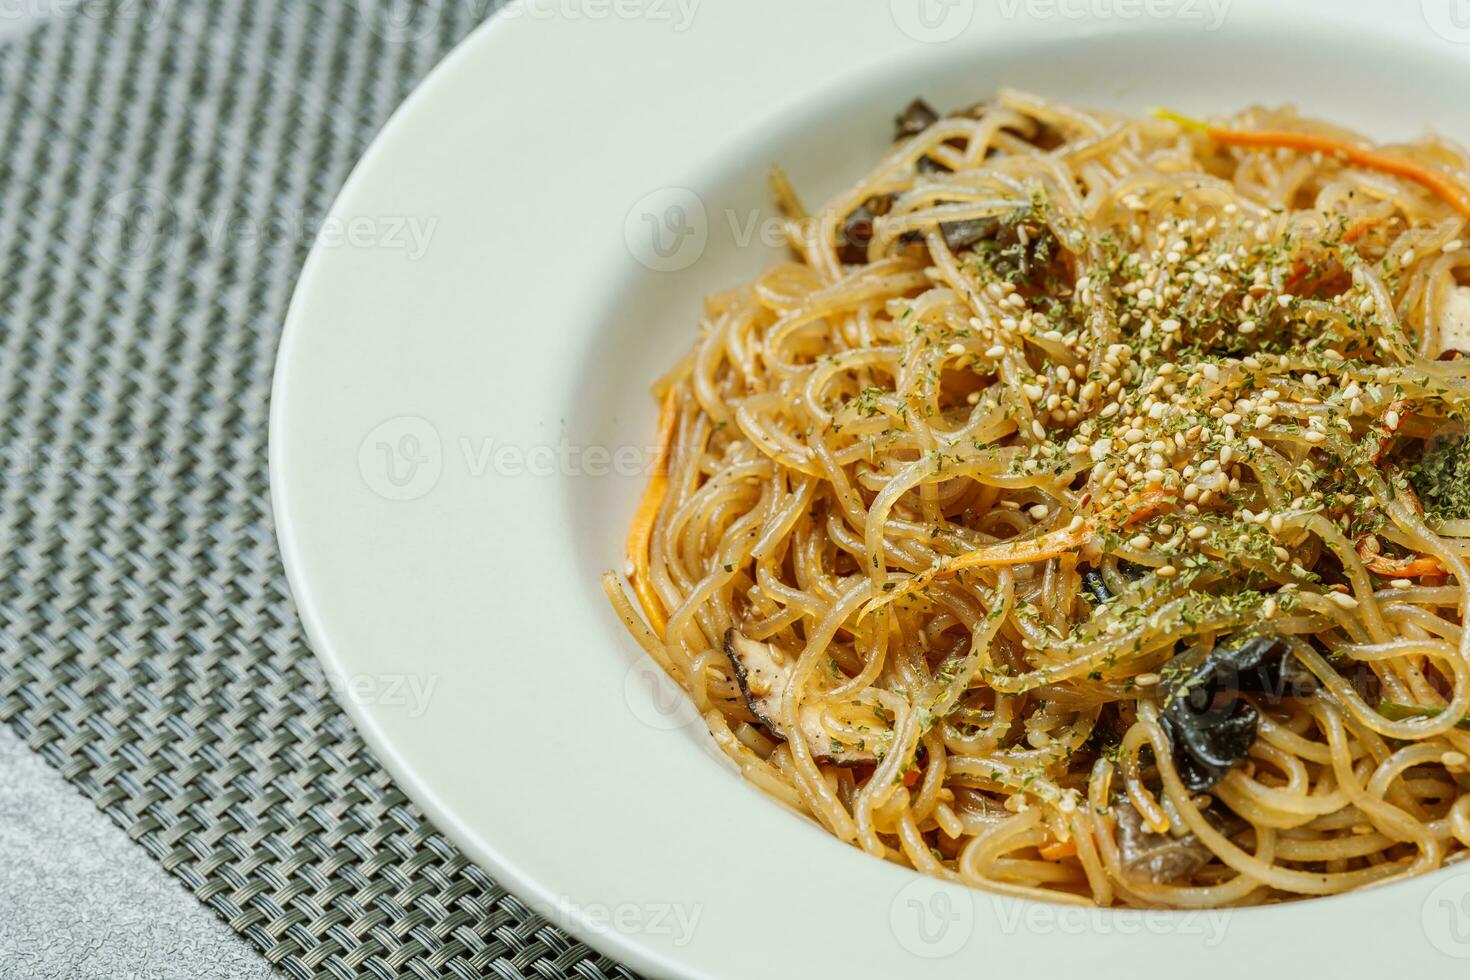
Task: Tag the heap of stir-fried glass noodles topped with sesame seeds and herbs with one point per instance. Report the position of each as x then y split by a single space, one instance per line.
1084 512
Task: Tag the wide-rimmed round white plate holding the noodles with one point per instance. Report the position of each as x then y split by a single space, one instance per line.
471 347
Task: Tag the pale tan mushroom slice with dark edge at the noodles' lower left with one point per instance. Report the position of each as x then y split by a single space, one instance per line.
762 674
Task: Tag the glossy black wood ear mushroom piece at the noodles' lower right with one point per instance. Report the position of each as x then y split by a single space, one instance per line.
1209 724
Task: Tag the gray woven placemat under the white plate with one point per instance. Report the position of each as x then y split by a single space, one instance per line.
162 168
